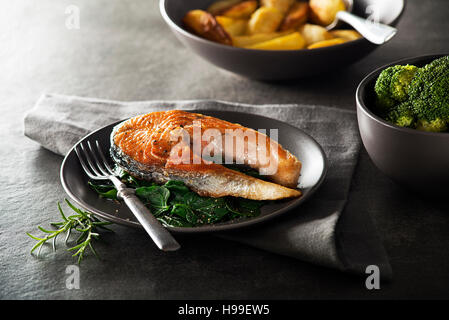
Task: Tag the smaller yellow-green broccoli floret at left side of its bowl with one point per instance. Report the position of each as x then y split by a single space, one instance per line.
392 86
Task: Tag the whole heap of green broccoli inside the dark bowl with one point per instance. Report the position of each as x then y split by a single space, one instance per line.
415 97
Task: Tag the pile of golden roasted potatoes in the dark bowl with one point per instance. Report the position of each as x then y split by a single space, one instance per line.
270 24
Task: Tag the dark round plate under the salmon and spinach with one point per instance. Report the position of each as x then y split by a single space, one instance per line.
296 141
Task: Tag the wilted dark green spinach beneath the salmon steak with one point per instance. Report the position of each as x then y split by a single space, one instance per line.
175 205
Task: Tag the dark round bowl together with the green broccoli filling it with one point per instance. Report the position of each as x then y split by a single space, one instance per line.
403 117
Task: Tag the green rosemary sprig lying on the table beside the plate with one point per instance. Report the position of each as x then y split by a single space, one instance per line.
82 222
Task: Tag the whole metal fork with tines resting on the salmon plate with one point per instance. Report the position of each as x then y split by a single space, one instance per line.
97 168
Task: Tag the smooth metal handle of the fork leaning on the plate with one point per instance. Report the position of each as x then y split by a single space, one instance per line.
161 237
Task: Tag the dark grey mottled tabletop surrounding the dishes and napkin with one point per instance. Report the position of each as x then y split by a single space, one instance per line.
124 51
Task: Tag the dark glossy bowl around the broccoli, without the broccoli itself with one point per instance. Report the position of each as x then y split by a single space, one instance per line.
415 159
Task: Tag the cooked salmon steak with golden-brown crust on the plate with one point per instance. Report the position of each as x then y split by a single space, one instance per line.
171 145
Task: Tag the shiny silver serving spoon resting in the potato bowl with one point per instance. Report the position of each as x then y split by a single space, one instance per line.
373 31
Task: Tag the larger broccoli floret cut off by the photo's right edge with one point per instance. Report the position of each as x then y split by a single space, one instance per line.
429 91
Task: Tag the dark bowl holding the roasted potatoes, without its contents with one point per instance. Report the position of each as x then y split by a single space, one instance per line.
283 64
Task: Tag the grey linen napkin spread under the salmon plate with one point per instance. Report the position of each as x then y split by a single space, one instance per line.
322 232
